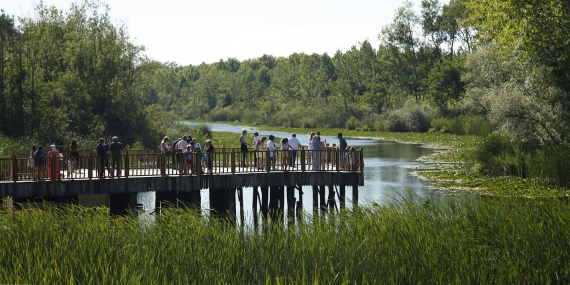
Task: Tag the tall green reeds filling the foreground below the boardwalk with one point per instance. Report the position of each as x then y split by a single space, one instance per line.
475 241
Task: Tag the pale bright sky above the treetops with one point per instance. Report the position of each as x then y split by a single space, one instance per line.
193 32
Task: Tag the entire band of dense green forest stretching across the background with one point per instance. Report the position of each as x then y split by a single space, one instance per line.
468 67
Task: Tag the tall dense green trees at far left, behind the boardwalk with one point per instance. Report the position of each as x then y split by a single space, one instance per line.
70 73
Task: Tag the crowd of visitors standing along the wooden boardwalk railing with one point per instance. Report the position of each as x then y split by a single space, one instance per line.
182 150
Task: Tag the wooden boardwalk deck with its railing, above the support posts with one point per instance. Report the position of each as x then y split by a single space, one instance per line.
146 170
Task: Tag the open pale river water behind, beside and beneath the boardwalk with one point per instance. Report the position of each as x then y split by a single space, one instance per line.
387 172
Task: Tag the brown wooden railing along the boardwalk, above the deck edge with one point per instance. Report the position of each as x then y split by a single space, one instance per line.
136 163
